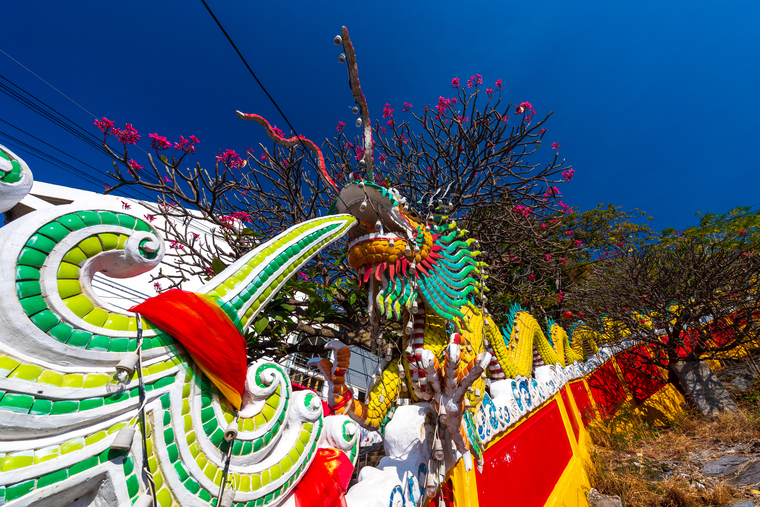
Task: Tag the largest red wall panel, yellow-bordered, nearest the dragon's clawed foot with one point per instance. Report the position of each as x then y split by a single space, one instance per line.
522 469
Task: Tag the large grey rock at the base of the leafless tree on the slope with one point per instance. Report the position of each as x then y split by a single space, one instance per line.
704 388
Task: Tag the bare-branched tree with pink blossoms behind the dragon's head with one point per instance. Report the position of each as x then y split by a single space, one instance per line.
470 155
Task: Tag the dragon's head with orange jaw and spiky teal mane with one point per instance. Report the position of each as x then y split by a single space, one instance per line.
405 259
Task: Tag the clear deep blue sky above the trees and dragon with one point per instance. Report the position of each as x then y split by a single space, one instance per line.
656 103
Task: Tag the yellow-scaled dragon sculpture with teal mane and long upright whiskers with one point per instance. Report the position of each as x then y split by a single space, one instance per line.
423 272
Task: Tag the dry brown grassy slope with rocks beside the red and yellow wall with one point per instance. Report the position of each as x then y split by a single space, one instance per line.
696 462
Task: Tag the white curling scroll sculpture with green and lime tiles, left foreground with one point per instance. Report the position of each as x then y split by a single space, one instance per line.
61 407
